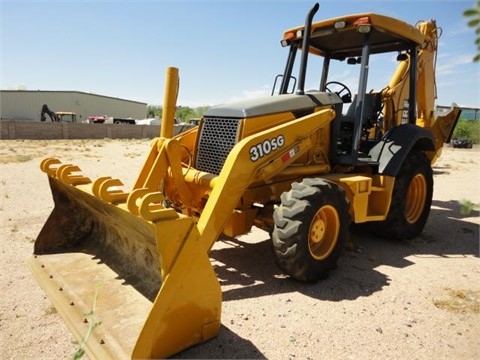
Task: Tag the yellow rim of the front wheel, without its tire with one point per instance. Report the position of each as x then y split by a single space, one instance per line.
323 233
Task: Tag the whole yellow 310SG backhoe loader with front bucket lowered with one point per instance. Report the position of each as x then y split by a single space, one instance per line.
302 165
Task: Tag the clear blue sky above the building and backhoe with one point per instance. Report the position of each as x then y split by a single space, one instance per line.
225 50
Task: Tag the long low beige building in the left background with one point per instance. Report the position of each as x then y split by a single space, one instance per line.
27 105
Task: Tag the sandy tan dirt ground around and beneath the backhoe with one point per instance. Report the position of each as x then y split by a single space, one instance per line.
418 299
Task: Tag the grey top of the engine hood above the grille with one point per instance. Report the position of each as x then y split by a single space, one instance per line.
273 104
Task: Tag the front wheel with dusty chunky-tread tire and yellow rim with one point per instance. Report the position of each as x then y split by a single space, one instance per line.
311 229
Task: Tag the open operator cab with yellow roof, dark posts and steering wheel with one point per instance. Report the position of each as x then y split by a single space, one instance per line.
341 51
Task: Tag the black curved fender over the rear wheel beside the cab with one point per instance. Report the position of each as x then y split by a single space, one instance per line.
393 148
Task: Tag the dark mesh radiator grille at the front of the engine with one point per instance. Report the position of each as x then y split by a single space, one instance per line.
217 137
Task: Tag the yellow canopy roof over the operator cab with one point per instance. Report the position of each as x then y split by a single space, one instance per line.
387 34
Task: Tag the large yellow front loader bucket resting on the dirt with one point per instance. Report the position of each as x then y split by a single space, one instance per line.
128 284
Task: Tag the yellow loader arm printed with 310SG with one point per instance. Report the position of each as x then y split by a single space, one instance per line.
239 170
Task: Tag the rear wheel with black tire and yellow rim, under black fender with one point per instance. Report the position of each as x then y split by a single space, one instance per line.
411 200
